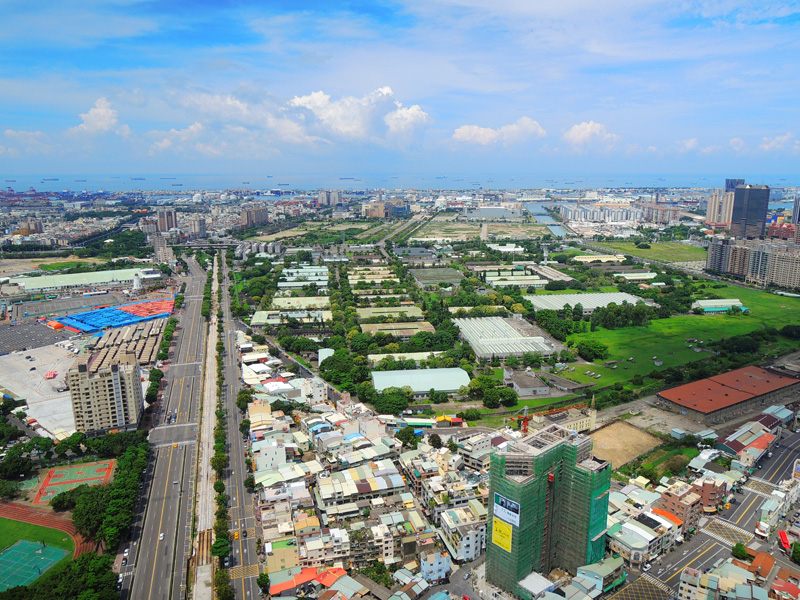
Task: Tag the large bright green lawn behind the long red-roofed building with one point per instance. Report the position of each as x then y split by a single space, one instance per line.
666 338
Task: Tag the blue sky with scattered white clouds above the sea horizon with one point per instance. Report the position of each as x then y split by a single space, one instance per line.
521 89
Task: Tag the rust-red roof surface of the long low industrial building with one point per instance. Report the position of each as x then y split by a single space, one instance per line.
727 389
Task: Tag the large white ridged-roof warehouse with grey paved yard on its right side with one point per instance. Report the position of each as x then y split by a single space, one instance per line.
496 336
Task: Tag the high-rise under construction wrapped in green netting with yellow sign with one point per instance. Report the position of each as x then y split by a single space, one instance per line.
548 502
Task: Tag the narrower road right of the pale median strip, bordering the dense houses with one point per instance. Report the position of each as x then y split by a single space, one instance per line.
245 563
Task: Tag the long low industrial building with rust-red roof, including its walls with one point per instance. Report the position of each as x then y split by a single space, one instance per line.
729 395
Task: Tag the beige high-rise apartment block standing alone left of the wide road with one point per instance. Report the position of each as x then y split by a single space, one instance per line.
105 396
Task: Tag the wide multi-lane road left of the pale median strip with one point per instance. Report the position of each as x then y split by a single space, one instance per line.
158 566
